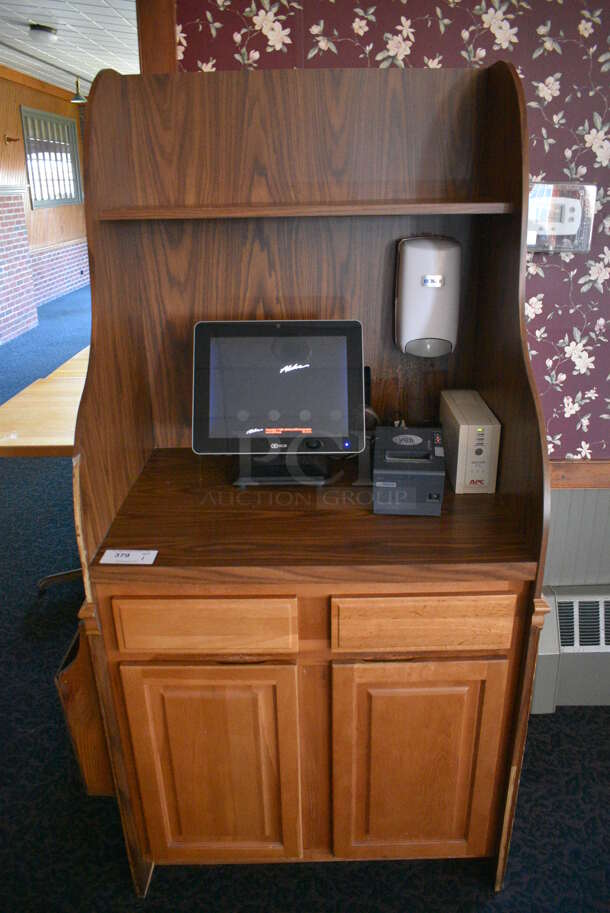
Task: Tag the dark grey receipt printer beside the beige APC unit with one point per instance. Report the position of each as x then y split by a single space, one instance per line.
408 471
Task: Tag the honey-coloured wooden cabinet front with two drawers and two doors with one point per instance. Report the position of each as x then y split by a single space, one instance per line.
243 760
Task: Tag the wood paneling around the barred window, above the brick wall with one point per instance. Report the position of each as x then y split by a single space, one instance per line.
45 226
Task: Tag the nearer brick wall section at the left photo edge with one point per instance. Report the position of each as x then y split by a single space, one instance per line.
17 306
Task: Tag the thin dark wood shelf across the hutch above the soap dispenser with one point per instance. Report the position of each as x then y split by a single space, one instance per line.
266 210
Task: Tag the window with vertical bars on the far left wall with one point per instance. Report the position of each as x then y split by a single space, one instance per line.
51 153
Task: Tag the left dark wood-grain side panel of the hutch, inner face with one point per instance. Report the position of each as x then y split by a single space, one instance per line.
113 436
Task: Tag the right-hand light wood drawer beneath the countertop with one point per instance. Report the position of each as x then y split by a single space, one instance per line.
418 623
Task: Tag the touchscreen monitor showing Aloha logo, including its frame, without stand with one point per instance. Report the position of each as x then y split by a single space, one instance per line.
265 386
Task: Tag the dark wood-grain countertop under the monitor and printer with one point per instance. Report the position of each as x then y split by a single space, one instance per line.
186 507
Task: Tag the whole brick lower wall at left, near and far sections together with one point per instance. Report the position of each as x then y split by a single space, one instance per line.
29 277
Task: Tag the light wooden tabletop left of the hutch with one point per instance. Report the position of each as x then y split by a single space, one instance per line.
40 420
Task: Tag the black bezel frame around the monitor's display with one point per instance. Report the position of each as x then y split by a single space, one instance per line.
205 330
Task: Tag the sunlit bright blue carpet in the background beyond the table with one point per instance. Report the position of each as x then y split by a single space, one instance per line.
64 328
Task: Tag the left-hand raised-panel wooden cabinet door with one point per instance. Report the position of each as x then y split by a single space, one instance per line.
217 756
